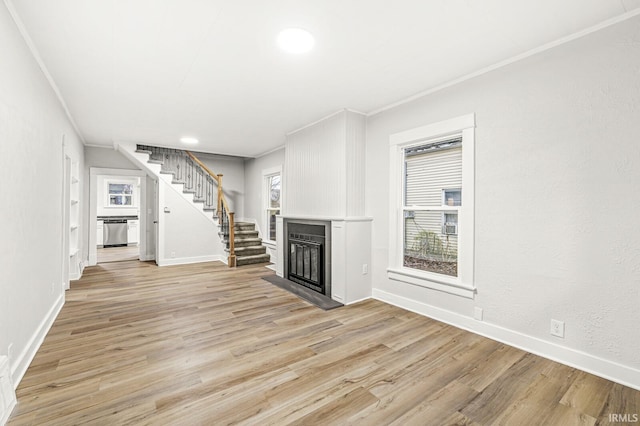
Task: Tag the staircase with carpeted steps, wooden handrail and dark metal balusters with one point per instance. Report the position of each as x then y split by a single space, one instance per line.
243 245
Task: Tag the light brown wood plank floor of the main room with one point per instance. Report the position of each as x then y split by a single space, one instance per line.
205 344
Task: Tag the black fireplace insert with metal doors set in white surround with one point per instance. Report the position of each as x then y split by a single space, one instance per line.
308 254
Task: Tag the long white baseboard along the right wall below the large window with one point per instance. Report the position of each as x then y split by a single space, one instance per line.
609 370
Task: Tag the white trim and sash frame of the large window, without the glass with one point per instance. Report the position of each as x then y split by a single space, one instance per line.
462 285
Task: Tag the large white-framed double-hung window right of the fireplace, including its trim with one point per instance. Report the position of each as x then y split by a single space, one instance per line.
432 200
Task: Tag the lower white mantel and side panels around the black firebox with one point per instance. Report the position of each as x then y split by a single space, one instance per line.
350 255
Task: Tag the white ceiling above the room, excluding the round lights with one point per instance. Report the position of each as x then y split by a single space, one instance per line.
151 71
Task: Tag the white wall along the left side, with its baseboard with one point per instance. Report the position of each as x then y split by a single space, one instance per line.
32 125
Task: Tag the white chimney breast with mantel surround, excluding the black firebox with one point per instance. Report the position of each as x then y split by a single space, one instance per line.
324 180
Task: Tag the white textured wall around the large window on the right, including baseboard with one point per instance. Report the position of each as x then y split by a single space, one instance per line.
556 201
